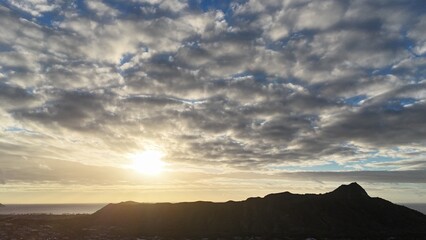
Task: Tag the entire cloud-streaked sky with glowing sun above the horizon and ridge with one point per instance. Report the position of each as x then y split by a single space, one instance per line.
232 98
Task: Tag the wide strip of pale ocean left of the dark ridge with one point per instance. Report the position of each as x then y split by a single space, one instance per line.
81 208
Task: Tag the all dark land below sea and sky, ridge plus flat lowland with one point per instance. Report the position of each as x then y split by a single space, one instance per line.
345 213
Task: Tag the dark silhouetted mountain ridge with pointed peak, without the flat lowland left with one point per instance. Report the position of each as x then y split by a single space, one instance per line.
347 211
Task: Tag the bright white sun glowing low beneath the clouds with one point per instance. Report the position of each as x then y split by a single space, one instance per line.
148 162
